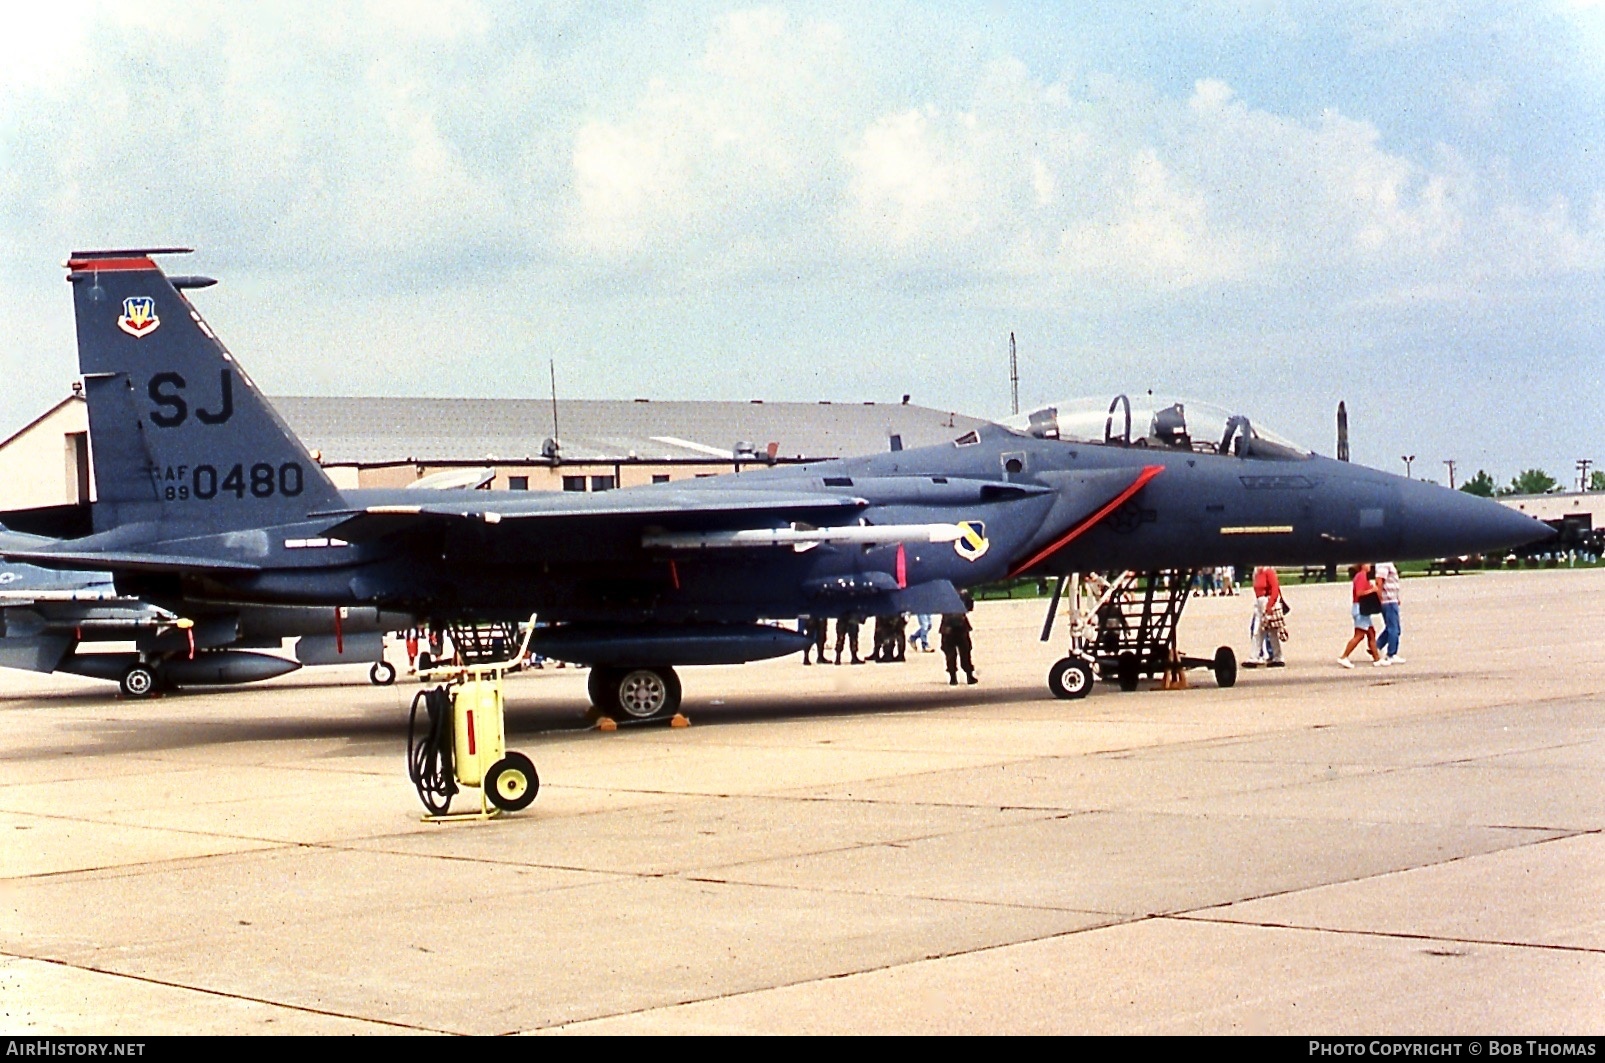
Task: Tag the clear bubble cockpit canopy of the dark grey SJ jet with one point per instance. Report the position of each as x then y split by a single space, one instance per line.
1156 423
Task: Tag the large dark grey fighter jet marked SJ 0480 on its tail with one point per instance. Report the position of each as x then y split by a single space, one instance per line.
206 495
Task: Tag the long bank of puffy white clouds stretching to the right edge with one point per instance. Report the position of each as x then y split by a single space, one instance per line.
1030 181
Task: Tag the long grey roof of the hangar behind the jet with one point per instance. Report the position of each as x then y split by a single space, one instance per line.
444 431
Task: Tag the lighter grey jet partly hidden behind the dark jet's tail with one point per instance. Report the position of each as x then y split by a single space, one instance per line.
63 621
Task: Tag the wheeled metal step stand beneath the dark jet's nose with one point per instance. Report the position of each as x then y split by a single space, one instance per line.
1126 630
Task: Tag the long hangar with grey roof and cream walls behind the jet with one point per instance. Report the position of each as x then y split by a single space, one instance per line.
598 444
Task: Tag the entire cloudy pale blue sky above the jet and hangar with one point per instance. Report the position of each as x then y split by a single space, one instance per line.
1274 206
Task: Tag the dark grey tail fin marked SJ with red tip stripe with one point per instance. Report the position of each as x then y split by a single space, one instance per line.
177 428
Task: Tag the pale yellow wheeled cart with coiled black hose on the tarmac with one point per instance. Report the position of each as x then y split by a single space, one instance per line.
465 741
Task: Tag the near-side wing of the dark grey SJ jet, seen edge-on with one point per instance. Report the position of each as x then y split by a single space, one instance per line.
701 507
